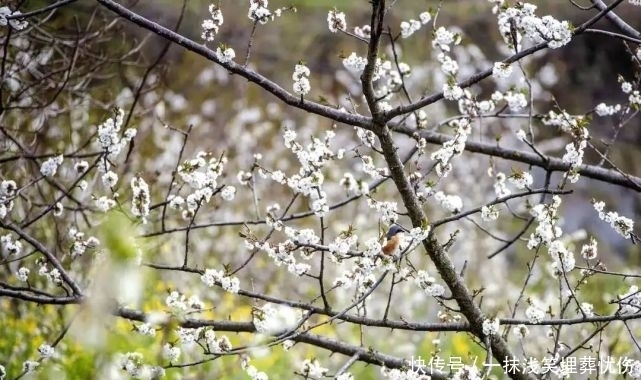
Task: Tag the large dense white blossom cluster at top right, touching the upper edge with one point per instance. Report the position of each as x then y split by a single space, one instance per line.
520 21
